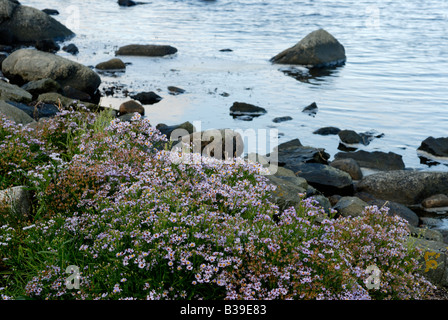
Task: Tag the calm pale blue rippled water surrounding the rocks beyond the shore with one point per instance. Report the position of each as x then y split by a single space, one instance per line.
394 82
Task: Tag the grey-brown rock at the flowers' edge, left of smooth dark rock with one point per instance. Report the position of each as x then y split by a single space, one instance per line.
287 192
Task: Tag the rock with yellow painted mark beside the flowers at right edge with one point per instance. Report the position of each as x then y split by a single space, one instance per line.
433 260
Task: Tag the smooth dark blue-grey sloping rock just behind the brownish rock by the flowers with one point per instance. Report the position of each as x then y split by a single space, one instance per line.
324 178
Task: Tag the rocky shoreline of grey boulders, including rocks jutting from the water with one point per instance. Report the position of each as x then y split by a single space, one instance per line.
37 81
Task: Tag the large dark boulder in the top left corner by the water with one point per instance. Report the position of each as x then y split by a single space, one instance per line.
26 25
